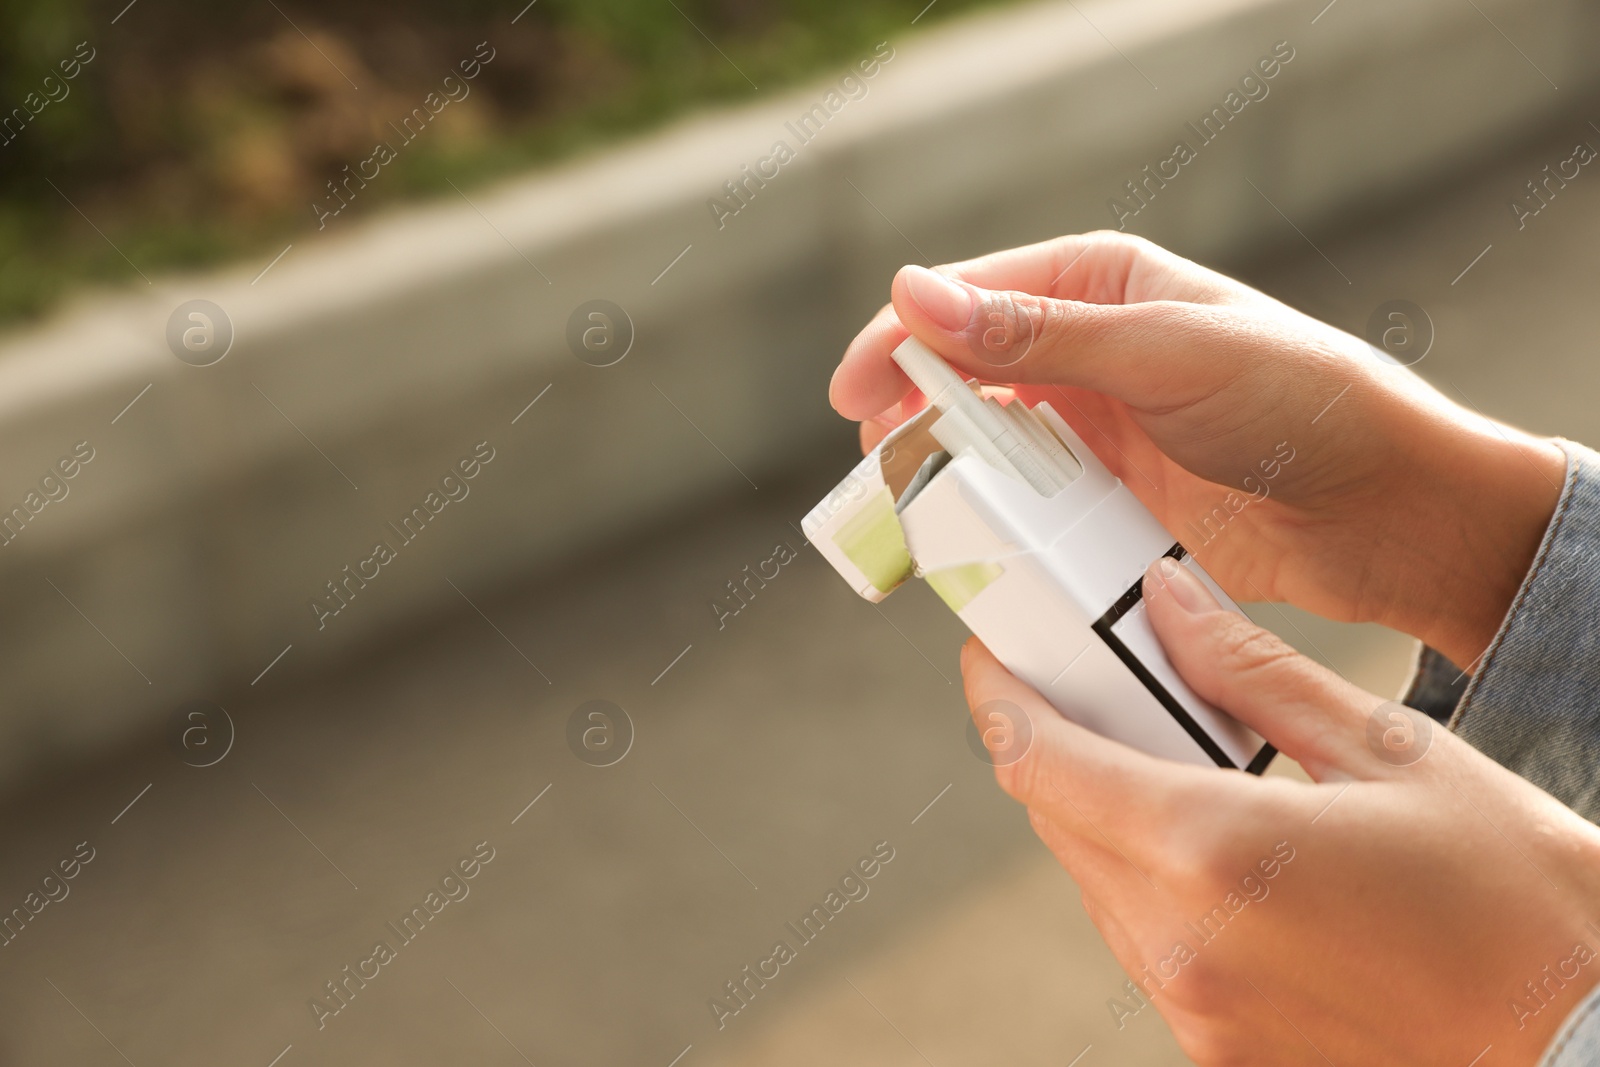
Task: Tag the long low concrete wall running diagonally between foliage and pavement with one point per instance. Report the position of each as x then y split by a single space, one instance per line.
377 354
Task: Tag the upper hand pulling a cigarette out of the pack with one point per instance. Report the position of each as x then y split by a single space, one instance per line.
1396 506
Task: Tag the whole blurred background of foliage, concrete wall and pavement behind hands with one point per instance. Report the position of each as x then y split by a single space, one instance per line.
492 286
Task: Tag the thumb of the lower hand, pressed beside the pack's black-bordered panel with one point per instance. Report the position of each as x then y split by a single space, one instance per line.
1308 713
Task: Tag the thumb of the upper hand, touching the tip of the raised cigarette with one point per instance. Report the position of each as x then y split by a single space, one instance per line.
1148 356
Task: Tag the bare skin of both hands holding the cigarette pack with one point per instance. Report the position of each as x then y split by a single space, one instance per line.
1423 897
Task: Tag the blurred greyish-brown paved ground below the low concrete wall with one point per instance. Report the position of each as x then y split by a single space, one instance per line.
767 761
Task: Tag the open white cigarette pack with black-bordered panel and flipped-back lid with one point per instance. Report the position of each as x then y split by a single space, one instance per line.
1052 585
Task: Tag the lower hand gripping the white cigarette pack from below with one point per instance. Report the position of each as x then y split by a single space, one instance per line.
1398 913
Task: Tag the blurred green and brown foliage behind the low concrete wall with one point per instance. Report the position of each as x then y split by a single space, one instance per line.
206 130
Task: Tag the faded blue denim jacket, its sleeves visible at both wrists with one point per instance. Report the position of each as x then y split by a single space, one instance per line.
1534 705
